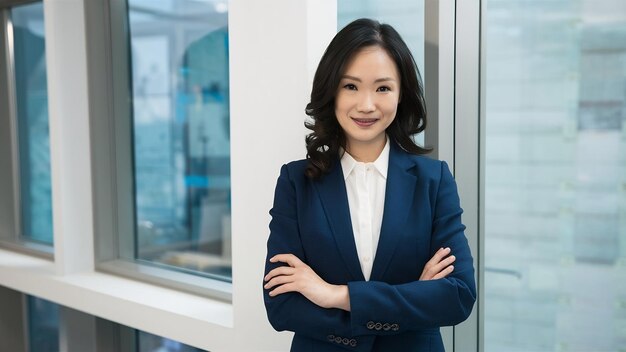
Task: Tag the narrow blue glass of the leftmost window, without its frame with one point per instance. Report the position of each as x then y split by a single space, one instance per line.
32 120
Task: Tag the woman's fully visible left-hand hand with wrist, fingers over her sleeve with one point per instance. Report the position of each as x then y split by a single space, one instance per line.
299 277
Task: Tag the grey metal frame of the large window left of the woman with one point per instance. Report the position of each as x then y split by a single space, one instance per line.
112 155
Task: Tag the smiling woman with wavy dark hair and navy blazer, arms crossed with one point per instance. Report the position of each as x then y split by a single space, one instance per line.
366 249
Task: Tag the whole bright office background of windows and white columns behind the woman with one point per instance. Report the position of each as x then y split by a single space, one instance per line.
140 142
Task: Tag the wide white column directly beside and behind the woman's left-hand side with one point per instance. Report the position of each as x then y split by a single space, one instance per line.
274 49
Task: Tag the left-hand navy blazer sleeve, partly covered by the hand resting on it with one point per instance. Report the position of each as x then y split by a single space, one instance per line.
292 311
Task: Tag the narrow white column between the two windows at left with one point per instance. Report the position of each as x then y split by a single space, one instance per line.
69 135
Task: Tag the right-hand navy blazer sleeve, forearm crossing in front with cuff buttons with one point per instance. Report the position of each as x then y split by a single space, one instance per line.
422 304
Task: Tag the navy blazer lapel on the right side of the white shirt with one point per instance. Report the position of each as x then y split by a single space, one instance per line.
398 203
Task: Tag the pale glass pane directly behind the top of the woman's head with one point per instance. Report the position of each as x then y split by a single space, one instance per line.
406 16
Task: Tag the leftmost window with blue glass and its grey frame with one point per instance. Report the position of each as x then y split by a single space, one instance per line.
26 189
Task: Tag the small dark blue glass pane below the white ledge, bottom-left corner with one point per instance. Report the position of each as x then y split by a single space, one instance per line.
43 325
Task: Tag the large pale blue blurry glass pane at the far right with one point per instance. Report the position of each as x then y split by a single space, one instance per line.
555 195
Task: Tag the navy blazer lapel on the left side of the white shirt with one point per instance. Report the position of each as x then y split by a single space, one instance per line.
332 191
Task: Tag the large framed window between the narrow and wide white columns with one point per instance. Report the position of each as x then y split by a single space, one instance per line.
172 144
